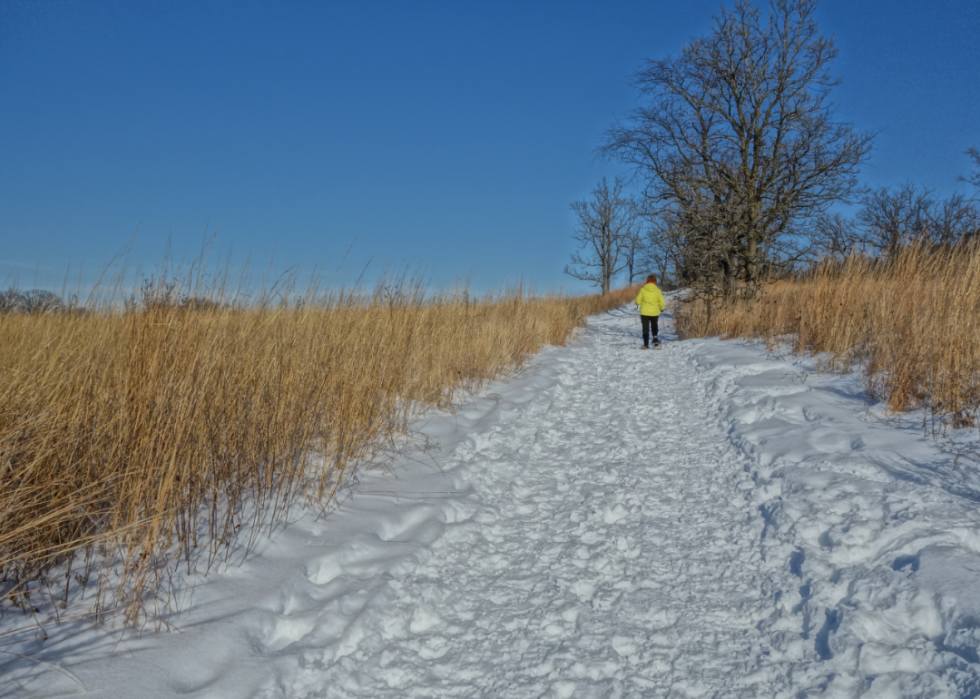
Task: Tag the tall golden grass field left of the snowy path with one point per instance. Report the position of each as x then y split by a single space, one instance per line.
135 440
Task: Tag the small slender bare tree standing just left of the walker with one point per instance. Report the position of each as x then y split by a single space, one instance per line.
606 230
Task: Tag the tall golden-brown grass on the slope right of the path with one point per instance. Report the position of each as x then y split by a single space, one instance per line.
911 323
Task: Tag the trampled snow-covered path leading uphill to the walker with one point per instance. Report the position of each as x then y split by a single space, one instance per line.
609 551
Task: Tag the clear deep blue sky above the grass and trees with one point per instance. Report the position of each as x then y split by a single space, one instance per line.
450 136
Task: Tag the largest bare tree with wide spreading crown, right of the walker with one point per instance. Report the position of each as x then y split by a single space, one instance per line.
742 119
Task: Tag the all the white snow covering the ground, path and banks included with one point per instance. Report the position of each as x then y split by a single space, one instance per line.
707 520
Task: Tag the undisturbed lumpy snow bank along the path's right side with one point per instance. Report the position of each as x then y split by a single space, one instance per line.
880 527
